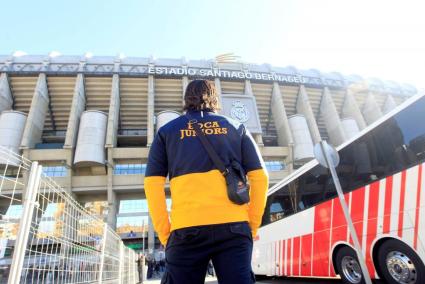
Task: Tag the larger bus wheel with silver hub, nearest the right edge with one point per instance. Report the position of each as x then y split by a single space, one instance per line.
400 264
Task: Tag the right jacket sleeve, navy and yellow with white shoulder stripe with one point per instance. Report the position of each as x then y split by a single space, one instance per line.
258 180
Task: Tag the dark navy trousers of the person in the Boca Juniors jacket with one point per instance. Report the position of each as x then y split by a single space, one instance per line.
189 250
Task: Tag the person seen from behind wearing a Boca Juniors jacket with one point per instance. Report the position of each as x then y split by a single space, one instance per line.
207 222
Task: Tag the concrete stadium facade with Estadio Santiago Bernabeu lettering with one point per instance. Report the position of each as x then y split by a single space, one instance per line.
90 120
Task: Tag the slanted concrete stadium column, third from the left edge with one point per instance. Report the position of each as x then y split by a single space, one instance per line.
77 108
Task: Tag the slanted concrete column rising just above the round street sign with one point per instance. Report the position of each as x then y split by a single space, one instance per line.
331 118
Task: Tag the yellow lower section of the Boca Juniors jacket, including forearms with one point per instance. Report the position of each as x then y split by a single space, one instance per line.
201 199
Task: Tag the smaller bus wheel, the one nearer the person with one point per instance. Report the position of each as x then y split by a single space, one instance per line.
348 266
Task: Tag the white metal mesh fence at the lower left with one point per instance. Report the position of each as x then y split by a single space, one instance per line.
54 238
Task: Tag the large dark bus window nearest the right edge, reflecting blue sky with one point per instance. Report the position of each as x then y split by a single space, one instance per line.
394 145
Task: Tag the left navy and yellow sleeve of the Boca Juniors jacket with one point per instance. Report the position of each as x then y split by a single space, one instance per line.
156 172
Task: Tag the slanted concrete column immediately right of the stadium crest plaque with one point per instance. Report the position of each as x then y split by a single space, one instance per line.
284 135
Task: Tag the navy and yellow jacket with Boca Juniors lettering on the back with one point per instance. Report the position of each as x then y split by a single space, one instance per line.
198 189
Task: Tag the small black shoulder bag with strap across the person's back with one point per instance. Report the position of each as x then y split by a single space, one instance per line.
237 187
